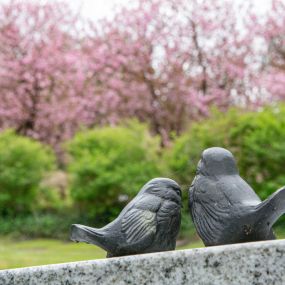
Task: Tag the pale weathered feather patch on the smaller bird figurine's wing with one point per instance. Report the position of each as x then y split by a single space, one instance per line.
139 224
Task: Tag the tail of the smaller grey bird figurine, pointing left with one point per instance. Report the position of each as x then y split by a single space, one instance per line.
81 233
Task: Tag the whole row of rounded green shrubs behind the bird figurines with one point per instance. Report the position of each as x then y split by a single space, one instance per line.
107 166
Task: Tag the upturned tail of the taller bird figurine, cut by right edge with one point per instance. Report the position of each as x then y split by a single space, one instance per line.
272 208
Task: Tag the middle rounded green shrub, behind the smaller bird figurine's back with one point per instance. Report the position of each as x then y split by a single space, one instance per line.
109 165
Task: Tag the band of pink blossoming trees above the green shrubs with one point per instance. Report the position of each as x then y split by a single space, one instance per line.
165 62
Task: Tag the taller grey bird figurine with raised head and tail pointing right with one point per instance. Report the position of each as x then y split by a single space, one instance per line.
224 208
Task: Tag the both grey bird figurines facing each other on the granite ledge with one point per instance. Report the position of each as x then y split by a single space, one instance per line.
224 209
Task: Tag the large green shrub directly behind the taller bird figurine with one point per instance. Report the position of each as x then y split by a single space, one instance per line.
257 140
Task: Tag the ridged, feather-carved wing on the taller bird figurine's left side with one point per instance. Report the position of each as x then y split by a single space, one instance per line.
208 210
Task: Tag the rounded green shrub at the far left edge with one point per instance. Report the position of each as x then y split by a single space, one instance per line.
23 164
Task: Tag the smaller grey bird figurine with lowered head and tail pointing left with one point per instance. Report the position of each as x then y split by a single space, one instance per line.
149 223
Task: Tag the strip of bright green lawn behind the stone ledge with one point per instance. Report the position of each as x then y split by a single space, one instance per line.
15 254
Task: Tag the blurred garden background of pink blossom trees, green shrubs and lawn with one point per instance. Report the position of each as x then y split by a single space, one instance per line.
98 97
